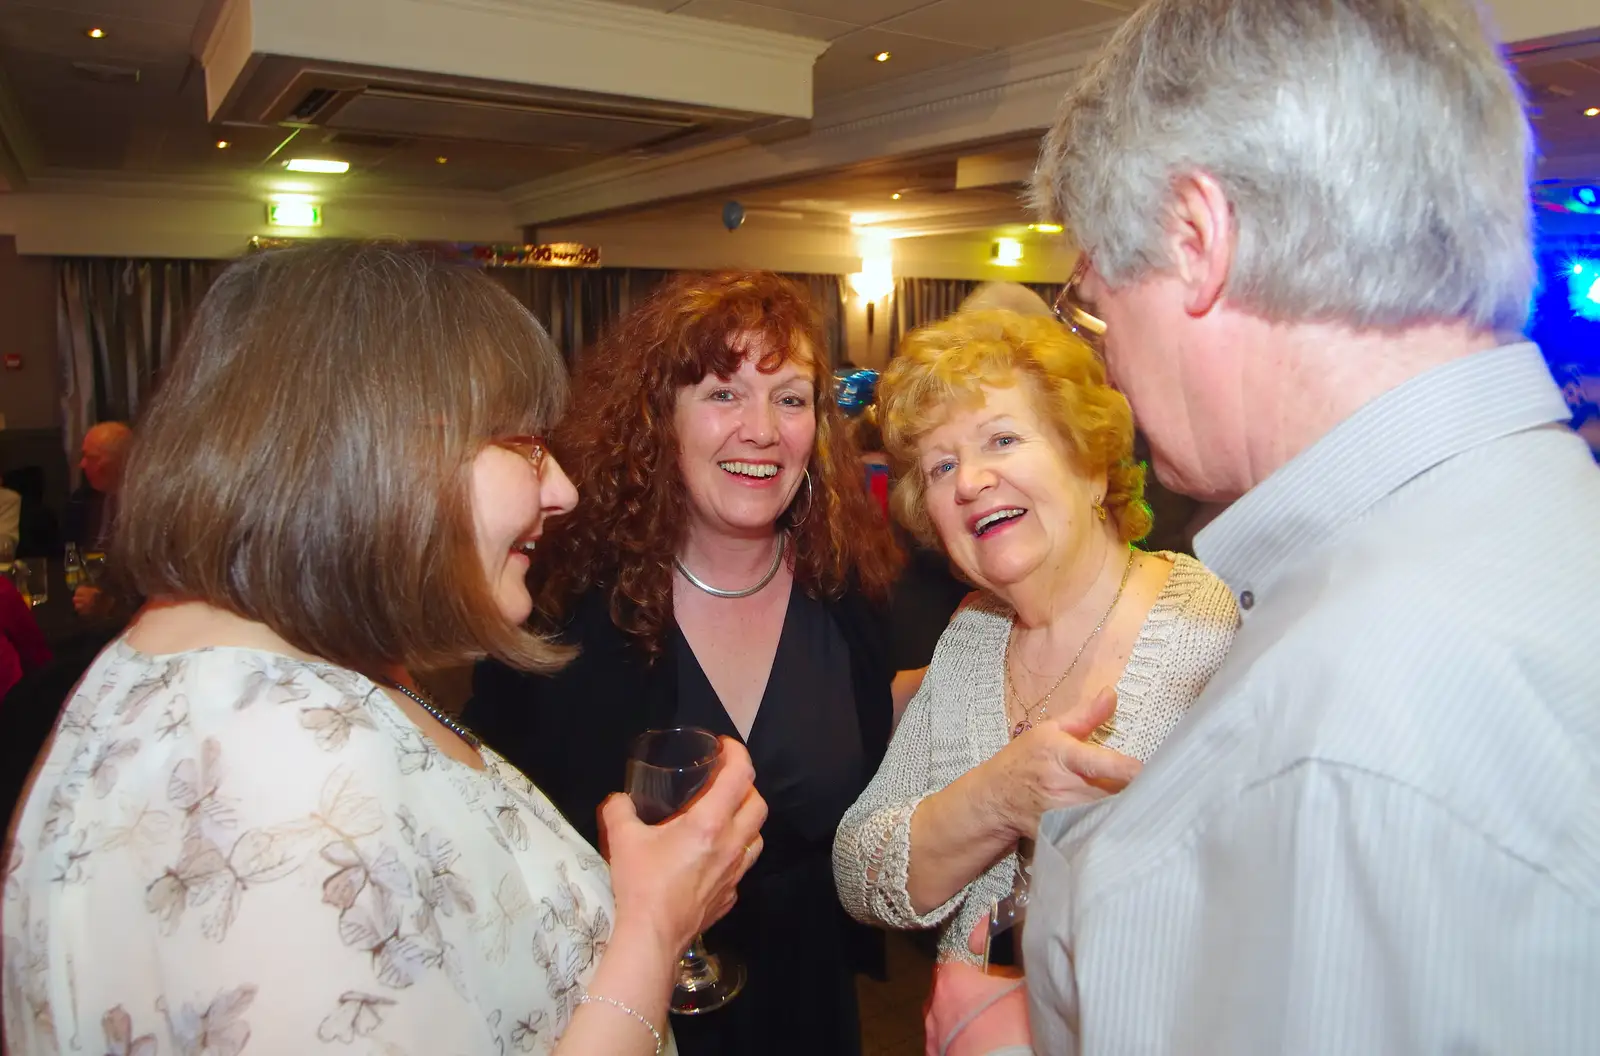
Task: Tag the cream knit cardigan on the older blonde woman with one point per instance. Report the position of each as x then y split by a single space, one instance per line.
958 721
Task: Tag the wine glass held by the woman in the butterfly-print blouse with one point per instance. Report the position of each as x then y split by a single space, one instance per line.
666 769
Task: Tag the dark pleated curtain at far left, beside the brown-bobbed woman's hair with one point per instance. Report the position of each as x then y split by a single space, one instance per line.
118 324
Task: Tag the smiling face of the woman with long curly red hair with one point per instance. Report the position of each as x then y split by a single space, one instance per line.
745 442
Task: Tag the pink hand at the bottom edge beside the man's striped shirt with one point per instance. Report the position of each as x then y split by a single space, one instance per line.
993 1006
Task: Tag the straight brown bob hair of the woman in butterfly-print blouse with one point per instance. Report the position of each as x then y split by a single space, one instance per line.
308 458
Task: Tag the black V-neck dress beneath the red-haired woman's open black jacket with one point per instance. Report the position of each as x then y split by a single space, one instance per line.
788 926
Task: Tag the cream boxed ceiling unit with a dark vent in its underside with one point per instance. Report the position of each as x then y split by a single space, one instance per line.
567 74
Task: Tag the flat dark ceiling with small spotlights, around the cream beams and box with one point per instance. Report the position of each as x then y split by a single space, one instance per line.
134 106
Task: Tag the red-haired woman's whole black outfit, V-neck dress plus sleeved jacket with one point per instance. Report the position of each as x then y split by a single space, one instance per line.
818 738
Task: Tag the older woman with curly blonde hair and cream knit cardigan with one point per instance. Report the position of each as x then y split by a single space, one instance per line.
1015 457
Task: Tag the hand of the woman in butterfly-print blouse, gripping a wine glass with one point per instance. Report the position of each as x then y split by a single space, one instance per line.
681 876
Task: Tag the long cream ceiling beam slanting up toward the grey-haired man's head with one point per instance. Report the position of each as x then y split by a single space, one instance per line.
982 100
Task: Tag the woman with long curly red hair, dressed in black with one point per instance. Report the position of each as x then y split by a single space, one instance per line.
727 570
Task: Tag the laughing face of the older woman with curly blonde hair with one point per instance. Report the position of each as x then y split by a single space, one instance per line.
1004 492
